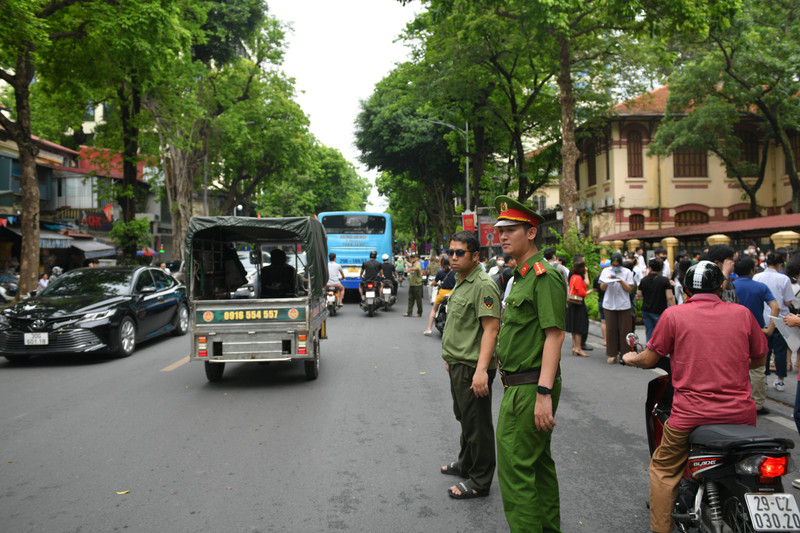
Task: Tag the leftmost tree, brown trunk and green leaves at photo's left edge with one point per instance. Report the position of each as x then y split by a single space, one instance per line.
30 28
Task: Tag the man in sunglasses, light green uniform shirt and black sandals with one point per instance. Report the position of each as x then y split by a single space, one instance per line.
468 342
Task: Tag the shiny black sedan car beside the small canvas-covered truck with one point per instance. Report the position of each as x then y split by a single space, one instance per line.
104 310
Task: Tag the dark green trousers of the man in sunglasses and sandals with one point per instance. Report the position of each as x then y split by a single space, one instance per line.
477 459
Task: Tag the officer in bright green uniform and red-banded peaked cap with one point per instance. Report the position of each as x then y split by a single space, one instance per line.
528 351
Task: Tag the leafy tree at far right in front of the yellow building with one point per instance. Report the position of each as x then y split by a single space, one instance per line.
743 68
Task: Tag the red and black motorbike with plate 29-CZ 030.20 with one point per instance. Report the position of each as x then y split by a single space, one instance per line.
732 481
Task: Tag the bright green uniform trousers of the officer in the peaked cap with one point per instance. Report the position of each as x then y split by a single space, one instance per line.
525 468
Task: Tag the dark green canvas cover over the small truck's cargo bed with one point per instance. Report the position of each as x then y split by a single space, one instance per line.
263 230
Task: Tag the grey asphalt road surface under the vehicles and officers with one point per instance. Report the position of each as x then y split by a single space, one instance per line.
146 444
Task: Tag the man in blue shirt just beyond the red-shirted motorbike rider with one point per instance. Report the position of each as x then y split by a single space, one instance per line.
755 295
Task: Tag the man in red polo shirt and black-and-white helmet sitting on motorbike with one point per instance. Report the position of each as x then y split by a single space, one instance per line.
710 374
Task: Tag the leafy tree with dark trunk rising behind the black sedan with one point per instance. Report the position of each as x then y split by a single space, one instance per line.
129 47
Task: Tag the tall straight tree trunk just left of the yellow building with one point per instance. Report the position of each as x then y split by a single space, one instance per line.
569 150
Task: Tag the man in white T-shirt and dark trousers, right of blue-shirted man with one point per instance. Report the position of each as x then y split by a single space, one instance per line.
781 288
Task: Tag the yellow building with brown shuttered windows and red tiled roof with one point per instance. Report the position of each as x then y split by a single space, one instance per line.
628 191
